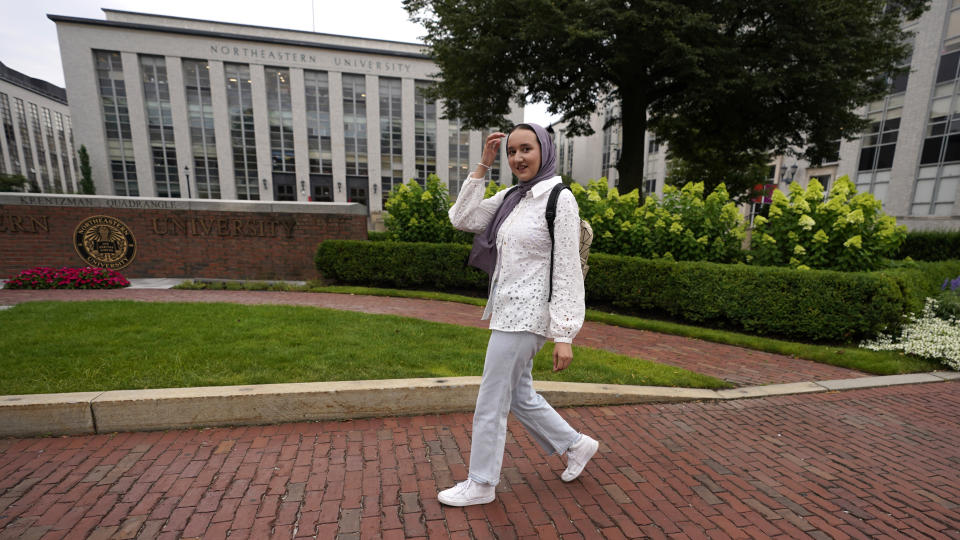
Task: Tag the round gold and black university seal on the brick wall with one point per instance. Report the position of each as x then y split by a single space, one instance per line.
105 242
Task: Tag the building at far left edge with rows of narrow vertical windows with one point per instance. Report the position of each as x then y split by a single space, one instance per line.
36 135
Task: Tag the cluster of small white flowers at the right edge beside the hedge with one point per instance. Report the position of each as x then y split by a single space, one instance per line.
927 336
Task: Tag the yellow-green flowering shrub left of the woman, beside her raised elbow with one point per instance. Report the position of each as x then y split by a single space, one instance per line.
416 214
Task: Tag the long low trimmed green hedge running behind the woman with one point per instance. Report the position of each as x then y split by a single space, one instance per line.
814 305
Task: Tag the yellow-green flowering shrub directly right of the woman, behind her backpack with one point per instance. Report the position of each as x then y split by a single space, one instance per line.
684 225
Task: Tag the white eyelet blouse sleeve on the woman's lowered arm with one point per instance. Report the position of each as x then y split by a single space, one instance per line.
567 306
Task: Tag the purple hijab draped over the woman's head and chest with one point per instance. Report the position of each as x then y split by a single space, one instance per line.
484 252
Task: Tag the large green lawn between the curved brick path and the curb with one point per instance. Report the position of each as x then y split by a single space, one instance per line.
92 346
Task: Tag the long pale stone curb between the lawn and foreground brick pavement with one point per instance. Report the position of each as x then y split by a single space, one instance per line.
176 408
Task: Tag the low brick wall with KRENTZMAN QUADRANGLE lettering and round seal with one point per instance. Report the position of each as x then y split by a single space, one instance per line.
171 237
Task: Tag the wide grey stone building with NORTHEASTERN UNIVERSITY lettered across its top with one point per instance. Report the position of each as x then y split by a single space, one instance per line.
174 107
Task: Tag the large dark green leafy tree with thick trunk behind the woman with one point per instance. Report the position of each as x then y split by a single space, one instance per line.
738 77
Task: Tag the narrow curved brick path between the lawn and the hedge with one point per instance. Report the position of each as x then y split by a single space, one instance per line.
737 365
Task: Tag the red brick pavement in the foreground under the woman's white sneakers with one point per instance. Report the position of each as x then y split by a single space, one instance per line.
877 463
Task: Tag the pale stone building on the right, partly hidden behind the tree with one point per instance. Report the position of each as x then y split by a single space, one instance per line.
909 157
